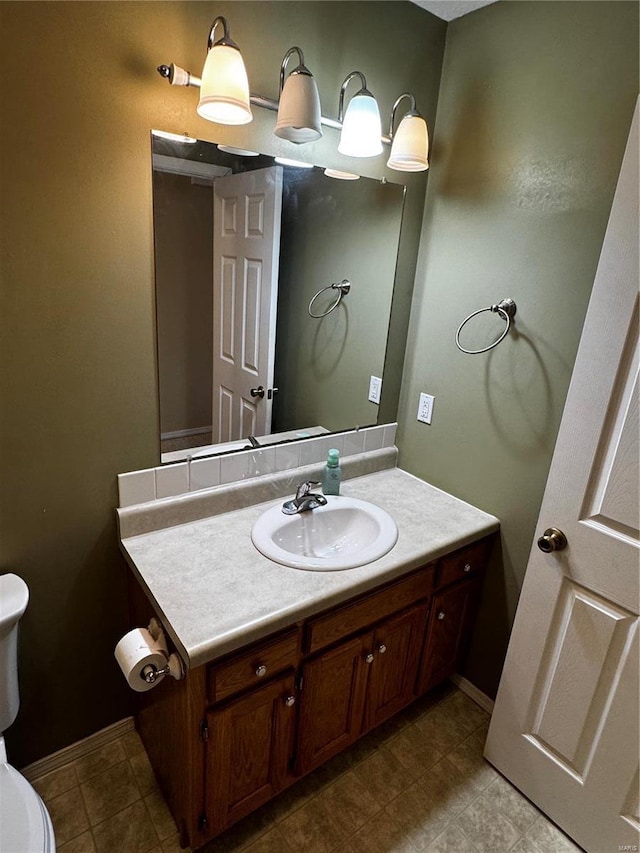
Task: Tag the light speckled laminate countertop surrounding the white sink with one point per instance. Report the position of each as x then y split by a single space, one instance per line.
214 592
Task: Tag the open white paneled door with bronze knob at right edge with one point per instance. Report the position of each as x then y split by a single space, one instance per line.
565 723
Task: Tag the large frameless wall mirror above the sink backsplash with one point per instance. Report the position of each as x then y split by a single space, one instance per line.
242 245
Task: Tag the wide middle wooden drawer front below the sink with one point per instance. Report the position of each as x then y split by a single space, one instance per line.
340 623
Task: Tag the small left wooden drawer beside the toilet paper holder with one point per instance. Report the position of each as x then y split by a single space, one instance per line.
253 666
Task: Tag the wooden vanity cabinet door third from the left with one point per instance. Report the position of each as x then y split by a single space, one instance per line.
397 644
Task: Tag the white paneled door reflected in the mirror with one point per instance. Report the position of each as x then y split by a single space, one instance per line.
246 252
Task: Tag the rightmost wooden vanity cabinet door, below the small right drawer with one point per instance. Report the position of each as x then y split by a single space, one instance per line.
450 625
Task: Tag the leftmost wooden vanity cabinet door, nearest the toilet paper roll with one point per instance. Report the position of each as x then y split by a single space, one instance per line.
249 751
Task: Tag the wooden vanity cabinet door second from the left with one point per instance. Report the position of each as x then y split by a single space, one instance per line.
332 700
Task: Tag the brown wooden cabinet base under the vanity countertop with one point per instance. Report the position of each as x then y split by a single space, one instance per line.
240 729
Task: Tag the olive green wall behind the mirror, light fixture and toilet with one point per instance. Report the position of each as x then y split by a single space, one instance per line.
78 400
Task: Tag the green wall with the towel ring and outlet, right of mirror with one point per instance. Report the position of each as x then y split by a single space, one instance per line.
533 115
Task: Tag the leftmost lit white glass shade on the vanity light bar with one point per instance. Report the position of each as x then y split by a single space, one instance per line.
224 91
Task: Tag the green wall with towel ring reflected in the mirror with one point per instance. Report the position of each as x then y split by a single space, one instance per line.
333 230
